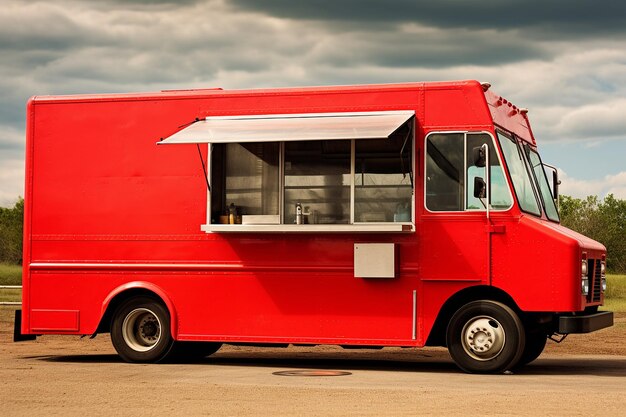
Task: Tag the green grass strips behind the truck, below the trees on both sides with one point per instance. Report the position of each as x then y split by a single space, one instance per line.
615 293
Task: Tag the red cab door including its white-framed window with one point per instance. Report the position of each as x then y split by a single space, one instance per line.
454 226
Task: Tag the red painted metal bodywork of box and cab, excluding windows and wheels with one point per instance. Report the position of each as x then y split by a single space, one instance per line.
107 210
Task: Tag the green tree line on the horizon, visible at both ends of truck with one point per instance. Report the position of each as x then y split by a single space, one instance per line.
603 220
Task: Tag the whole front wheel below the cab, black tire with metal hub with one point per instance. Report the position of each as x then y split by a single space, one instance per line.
485 337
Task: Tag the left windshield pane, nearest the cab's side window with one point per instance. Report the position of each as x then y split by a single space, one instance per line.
522 182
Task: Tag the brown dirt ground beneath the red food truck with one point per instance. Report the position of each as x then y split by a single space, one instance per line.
67 375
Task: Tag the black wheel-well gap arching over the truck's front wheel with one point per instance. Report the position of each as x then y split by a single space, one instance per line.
437 336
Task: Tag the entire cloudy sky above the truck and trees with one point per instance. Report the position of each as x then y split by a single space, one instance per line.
564 60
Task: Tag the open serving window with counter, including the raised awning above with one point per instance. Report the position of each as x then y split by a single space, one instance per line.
312 172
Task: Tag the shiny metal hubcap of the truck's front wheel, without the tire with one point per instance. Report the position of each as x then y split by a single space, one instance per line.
483 338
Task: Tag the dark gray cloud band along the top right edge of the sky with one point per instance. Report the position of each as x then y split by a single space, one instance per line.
583 17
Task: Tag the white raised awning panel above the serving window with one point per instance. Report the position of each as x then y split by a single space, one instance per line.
292 127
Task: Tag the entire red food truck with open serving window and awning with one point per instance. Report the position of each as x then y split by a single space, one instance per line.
409 215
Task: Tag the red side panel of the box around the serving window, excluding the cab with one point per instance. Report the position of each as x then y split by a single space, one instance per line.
109 206
